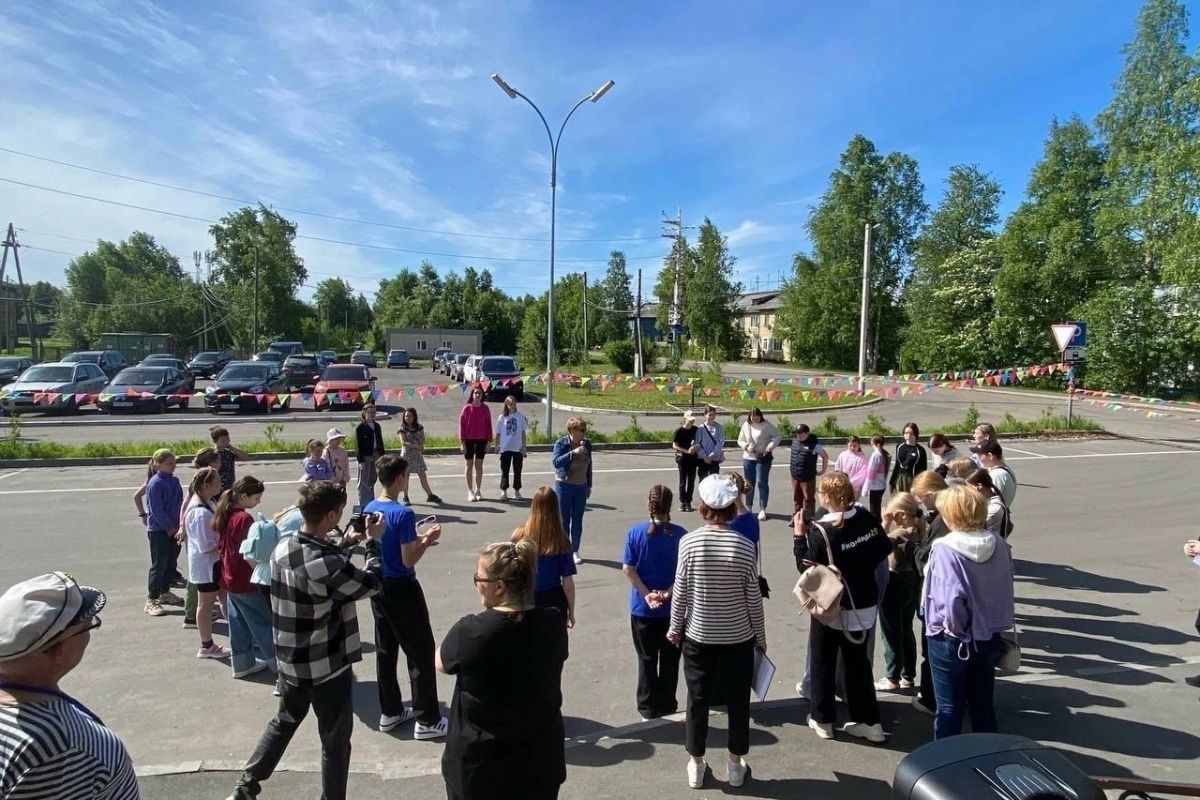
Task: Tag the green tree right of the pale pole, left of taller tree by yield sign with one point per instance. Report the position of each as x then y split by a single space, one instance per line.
947 332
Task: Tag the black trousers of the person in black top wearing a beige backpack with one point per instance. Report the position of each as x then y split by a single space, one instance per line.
827 643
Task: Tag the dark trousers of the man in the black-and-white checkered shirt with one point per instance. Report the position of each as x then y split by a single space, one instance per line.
332 701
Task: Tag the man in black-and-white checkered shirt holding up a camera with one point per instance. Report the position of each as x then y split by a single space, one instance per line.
314 591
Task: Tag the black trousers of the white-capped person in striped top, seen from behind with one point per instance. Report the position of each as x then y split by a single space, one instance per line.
725 670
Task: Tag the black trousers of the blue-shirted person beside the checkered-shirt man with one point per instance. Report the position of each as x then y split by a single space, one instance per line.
403 623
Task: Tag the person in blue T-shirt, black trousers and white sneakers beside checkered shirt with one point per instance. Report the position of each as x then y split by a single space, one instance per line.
401 615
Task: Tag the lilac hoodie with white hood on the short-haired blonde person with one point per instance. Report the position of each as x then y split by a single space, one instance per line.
969 587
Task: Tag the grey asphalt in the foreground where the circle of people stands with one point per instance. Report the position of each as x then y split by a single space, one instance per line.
1106 599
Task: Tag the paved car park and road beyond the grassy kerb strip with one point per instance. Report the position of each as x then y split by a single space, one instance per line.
440 416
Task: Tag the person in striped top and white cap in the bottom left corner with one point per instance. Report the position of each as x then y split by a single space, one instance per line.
52 748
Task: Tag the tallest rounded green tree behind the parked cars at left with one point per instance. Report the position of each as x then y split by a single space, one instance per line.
259 242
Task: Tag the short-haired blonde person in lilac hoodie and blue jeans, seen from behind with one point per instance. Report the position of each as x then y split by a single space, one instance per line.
968 603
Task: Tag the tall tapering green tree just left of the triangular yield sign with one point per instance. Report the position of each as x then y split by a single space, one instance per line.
1052 256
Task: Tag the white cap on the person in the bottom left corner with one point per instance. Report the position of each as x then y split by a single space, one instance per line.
37 611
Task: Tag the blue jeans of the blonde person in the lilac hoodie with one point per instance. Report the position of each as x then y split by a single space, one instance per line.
964 687
